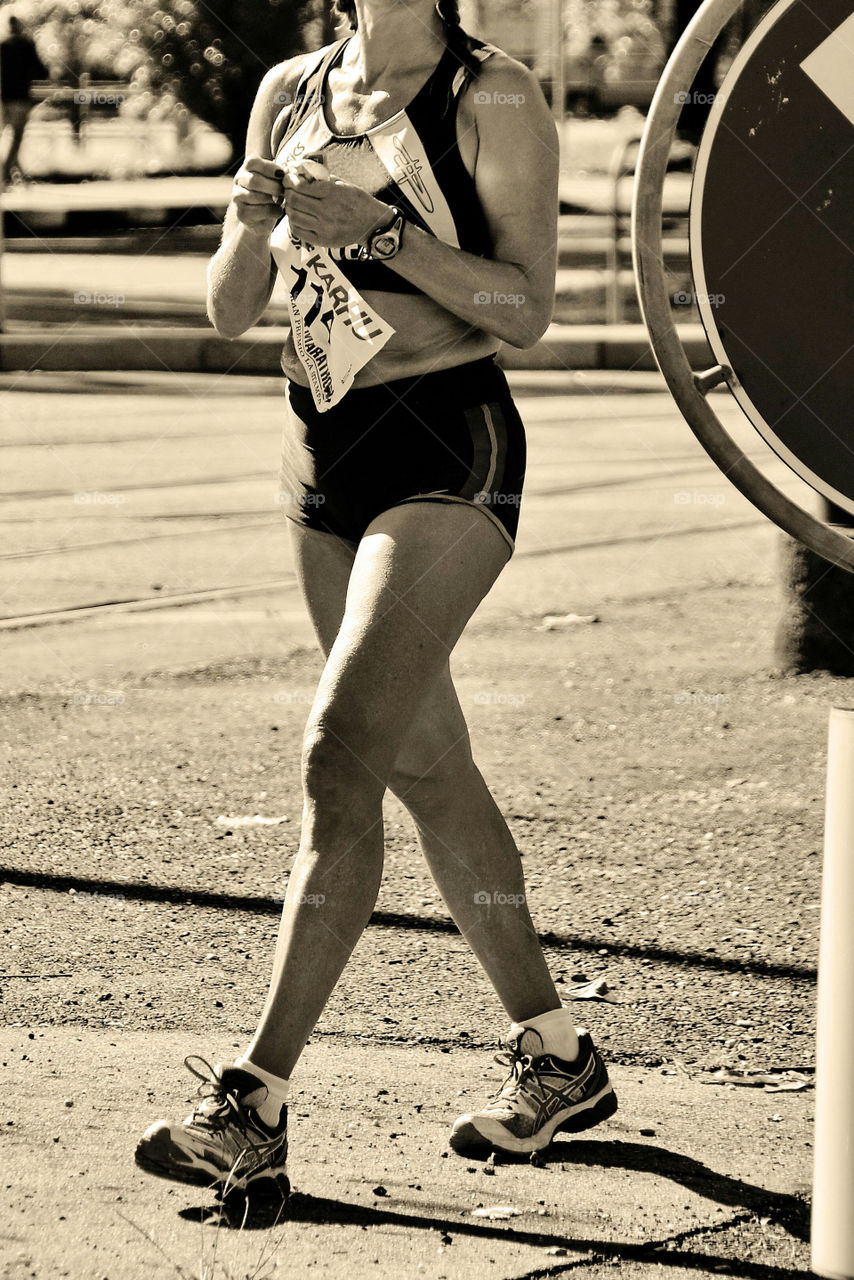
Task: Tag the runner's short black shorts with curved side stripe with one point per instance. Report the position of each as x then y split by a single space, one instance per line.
453 436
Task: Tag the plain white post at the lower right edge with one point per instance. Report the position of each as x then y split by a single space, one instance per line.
833 1236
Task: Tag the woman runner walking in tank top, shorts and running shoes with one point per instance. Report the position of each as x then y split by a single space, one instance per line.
426 241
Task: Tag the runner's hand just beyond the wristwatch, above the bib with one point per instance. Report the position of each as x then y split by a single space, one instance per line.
330 213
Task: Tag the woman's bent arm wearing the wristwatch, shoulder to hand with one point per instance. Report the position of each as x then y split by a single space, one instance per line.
510 295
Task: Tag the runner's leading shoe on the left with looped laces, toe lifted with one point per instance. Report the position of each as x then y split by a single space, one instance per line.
223 1144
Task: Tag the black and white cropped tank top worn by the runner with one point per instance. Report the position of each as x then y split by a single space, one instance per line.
412 161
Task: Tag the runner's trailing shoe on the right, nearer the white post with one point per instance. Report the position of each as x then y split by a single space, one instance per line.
541 1096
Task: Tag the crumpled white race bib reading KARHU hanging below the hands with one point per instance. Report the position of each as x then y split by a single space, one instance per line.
335 331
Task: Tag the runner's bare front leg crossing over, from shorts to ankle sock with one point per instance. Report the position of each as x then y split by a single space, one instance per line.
417 578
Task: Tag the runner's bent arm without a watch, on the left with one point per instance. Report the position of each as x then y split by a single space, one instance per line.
243 272
